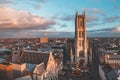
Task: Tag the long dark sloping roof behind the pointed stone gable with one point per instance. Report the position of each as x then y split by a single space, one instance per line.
34 57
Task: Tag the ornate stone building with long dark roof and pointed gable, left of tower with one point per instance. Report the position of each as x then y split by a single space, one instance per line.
41 65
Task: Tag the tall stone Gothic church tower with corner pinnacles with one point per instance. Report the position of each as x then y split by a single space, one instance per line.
80 39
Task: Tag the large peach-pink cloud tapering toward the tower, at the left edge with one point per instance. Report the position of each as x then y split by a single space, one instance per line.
22 20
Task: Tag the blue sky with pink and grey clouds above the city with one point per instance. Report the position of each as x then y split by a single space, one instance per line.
56 18
